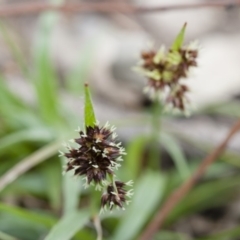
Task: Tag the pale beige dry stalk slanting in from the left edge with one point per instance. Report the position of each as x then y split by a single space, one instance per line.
27 163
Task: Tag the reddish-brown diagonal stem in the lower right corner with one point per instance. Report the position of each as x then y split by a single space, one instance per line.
178 194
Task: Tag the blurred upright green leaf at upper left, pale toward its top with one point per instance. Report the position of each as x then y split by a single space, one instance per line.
45 79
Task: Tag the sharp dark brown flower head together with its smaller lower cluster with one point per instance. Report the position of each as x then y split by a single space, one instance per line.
96 158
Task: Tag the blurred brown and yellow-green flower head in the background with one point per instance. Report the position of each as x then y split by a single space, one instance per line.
165 70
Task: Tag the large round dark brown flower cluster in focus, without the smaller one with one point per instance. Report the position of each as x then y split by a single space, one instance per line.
97 154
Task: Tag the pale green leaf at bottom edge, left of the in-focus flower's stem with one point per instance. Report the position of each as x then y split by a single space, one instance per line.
68 226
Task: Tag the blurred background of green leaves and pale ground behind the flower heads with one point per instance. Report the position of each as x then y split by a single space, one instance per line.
44 60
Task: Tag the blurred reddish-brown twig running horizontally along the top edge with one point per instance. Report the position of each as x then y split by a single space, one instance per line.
104 7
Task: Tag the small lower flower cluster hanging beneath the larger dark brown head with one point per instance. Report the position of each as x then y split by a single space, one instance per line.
116 195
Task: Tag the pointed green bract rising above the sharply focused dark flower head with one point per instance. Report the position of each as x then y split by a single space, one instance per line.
89 119
